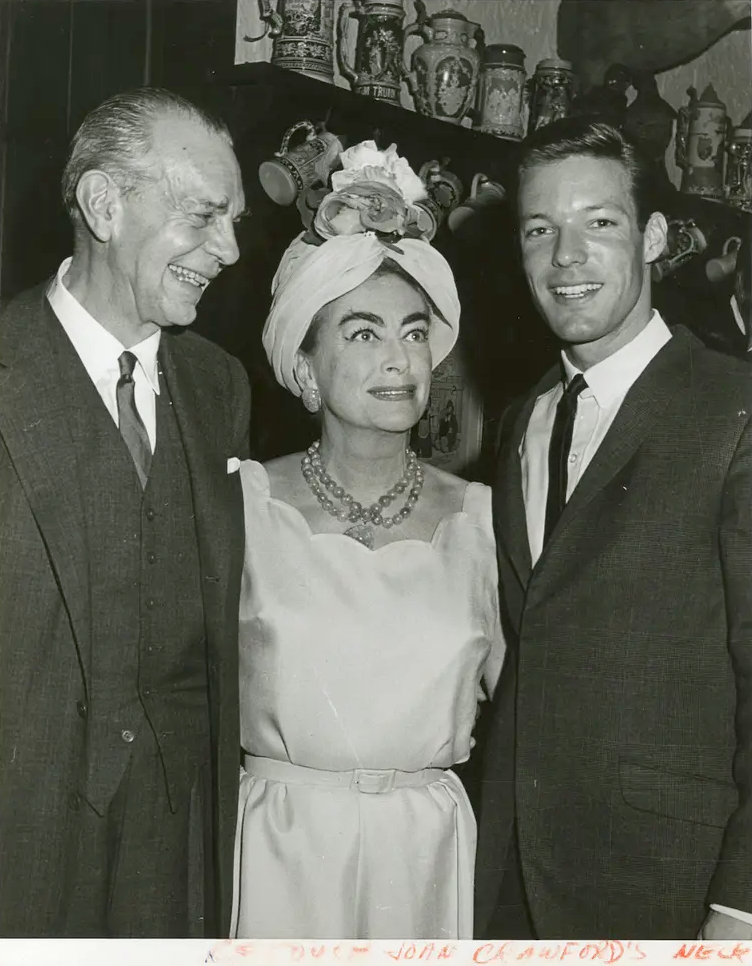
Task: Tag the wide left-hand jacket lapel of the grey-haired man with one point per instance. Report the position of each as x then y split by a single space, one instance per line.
34 426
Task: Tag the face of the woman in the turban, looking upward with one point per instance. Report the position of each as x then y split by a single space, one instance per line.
372 360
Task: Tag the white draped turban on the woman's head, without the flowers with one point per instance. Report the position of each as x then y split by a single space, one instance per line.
310 276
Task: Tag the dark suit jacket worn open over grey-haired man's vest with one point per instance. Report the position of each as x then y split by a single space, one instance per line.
45 631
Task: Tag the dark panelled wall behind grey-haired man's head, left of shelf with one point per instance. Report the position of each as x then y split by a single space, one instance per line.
59 59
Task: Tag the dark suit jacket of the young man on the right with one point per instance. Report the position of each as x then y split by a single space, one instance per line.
622 737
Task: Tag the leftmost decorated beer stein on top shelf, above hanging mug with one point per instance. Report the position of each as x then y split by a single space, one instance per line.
303 33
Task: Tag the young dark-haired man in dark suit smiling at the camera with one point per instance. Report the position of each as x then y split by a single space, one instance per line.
618 787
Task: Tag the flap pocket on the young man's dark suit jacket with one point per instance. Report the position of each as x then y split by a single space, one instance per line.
703 801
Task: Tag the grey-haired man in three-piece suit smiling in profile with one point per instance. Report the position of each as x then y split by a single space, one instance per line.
121 543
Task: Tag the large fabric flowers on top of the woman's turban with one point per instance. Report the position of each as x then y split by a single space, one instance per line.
374 191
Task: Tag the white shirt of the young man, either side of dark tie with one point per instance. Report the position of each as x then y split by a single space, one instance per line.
608 382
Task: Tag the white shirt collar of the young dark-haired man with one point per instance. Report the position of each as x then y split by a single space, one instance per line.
613 376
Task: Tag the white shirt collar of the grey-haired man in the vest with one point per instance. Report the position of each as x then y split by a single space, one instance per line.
97 348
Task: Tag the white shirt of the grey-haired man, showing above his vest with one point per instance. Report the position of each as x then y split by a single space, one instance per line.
99 351
